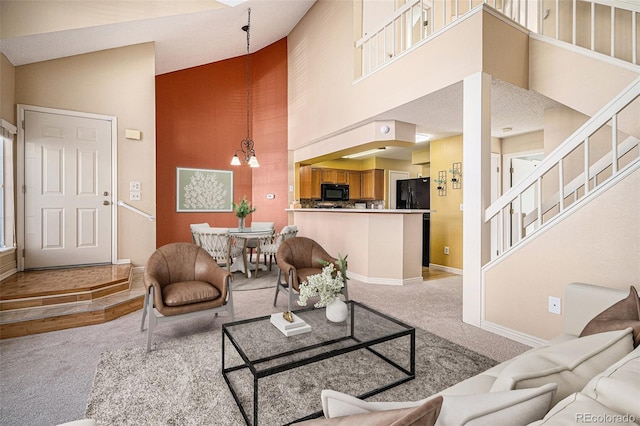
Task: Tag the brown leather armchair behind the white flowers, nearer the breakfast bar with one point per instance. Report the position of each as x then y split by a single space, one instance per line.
298 258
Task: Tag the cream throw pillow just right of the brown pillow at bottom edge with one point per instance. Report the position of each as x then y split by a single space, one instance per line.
518 407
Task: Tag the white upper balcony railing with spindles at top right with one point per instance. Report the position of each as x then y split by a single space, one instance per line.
609 27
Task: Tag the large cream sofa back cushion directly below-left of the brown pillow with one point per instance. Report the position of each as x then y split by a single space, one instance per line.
570 364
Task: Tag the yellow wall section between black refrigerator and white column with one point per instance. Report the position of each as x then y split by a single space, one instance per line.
446 223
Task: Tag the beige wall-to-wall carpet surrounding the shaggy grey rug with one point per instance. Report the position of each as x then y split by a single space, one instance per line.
47 378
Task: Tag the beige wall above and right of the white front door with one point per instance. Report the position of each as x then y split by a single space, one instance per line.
118 82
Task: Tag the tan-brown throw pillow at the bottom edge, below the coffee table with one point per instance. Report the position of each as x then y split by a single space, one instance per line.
424 414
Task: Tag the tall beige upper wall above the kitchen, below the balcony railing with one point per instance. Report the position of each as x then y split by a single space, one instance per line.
321 103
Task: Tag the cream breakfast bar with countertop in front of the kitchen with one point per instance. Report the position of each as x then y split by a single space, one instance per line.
384 246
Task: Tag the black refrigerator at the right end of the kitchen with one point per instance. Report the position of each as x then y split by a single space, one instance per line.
416 194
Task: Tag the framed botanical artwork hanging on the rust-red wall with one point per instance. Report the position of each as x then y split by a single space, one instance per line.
203 190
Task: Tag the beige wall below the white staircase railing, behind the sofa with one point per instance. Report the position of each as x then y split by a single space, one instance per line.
597 244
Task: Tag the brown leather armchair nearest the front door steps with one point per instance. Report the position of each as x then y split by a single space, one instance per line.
182 279
